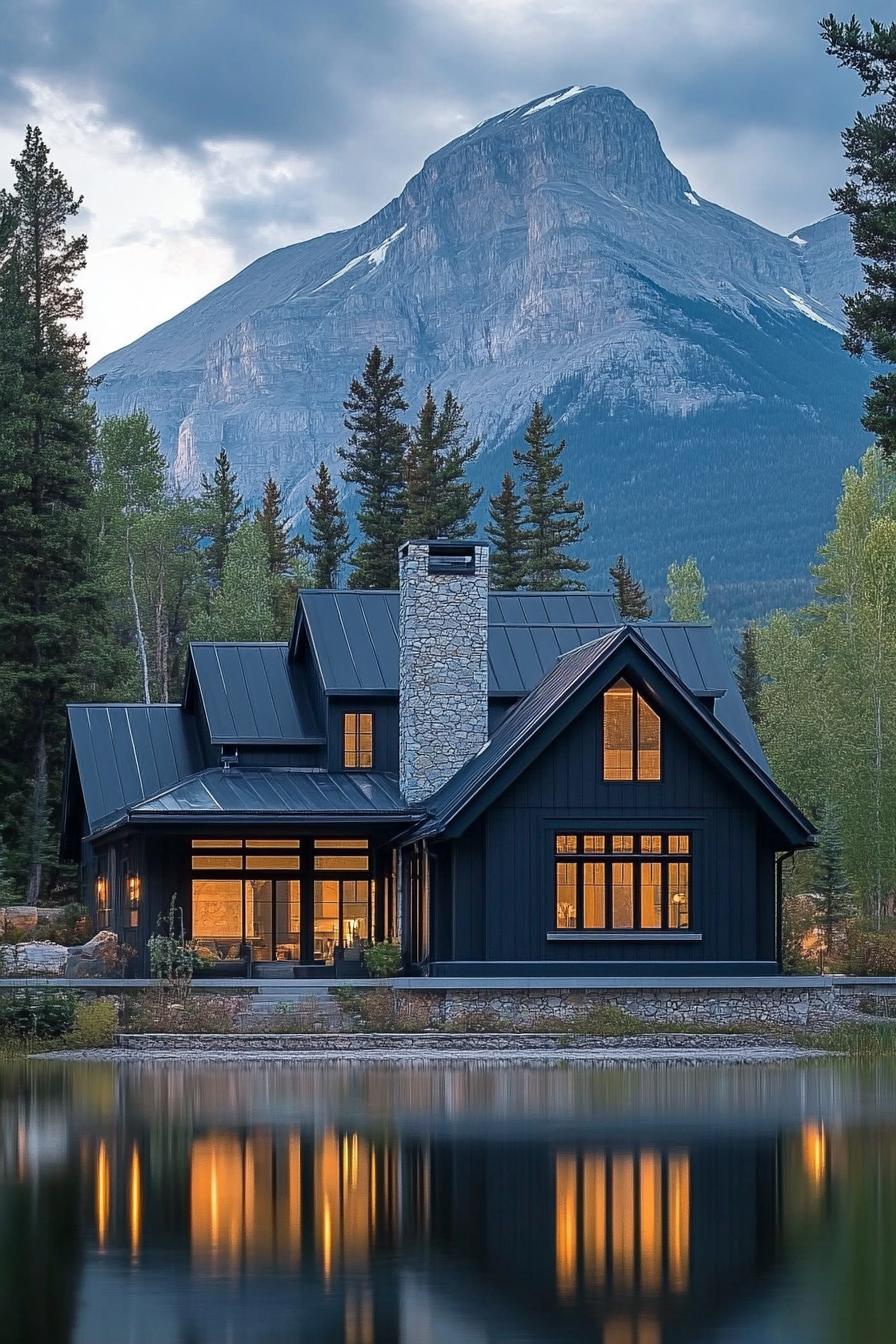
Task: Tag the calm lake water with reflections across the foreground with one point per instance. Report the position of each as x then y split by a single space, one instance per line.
447 1205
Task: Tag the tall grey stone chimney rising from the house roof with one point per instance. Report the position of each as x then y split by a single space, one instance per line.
444 662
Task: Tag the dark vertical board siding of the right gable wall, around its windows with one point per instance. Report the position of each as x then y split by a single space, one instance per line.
503 869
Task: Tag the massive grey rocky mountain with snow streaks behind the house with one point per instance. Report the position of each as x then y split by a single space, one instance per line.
691 357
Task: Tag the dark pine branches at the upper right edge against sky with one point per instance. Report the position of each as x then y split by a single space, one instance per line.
870 200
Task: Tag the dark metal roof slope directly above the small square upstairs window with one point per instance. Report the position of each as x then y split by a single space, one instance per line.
252 694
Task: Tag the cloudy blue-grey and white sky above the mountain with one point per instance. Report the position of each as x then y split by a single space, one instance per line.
204 134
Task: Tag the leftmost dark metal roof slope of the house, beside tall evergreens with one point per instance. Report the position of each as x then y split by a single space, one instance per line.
127 753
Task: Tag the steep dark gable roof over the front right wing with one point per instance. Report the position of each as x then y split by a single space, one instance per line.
551 696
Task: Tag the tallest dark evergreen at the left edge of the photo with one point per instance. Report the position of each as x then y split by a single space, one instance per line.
50 605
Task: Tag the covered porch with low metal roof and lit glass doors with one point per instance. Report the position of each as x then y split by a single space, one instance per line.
275 872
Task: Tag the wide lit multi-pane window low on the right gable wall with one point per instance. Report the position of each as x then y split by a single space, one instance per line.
619 882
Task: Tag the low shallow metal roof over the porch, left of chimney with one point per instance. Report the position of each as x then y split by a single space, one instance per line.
279 792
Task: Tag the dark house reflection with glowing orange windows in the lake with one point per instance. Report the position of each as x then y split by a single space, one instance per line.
365 1238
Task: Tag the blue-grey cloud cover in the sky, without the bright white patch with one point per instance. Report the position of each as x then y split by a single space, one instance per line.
366 88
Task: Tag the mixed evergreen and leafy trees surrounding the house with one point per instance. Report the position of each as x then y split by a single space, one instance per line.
107 571
